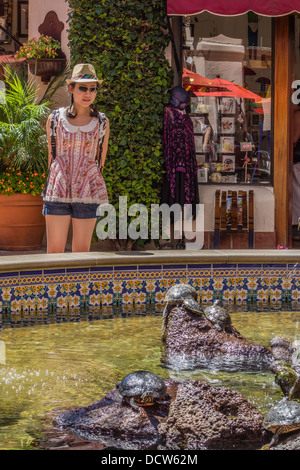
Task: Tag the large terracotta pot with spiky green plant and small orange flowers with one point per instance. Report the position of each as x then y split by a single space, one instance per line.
23 164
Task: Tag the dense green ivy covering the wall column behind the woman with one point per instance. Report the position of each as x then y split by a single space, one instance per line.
126 40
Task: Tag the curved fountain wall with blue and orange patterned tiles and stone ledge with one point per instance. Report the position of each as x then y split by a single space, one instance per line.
50 282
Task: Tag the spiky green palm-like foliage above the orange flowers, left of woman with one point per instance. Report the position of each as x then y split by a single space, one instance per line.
23 142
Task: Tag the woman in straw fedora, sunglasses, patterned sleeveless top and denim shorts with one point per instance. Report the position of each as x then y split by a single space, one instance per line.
77 139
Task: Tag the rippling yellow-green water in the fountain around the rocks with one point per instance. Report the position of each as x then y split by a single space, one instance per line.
73 363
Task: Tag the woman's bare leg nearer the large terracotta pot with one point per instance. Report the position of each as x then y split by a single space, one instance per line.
57 228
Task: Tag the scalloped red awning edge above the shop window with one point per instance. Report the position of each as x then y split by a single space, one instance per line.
229 8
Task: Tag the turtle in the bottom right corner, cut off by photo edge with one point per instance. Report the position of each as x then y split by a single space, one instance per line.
282 418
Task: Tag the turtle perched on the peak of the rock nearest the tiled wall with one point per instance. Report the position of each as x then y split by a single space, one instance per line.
180 295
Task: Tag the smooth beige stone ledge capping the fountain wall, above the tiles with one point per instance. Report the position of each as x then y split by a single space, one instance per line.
141 258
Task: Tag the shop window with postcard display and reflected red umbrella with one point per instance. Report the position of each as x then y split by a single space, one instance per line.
230 96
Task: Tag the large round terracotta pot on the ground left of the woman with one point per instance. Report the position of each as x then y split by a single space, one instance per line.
22 225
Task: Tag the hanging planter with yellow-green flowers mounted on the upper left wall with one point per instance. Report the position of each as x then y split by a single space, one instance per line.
43 56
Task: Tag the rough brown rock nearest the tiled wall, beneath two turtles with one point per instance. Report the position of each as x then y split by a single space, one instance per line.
193 341
